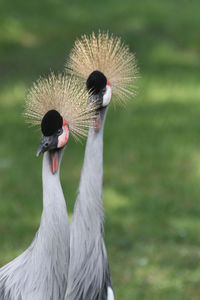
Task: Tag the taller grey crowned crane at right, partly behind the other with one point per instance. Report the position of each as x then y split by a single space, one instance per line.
107 67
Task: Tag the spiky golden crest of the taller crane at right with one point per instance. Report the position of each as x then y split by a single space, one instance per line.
109 55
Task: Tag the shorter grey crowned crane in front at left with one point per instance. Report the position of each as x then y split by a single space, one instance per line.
40 272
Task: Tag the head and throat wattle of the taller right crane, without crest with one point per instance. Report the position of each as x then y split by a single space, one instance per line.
100 93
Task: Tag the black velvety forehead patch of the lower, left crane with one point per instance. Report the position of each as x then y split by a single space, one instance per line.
51 122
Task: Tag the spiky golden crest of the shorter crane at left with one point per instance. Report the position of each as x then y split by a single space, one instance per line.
63 94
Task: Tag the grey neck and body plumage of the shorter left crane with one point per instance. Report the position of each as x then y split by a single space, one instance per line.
40 271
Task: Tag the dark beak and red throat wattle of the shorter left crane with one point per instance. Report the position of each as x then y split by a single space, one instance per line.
49 143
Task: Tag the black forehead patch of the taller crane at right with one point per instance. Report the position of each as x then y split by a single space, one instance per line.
96 82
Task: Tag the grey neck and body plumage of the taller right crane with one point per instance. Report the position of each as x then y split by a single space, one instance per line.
89 276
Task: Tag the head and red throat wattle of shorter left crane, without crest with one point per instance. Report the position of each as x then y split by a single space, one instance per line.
55 136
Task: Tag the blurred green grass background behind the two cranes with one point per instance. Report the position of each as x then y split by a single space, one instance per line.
152 148
